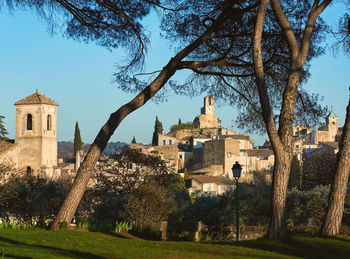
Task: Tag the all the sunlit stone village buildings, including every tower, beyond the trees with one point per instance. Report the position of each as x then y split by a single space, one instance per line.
203 150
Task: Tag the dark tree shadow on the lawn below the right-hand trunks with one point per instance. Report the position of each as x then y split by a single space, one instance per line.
305 247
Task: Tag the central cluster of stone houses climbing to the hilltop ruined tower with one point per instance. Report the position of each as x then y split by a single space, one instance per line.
208 151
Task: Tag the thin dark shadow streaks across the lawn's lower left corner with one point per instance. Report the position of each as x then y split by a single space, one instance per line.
55 250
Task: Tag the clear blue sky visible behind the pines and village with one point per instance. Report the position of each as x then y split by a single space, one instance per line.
79 77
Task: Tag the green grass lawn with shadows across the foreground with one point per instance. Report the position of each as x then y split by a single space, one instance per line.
39 243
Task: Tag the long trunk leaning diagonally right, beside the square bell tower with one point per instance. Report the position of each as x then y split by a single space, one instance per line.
81 180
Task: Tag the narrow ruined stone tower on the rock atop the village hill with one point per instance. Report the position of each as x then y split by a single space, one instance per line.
207 118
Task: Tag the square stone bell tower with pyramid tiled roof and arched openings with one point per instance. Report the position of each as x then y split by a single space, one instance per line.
36 133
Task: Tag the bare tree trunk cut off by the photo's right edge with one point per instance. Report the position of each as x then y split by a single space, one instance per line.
334 213
